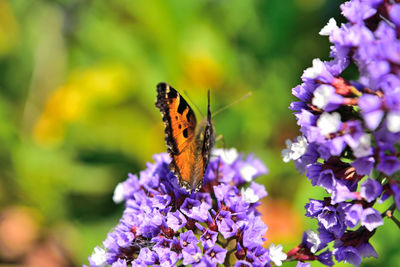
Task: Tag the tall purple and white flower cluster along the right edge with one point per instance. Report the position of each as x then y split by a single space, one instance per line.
350 132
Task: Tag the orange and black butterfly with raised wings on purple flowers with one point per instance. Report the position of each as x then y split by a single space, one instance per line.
188 143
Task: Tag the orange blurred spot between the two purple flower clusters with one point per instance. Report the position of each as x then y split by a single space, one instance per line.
284 223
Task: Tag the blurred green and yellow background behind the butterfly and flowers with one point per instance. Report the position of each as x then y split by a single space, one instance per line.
77 93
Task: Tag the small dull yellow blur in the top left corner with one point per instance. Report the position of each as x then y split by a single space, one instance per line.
9 29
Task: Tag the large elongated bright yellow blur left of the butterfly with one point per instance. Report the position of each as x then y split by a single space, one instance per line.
74 100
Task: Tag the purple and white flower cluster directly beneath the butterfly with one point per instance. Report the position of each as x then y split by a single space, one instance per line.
164 225
